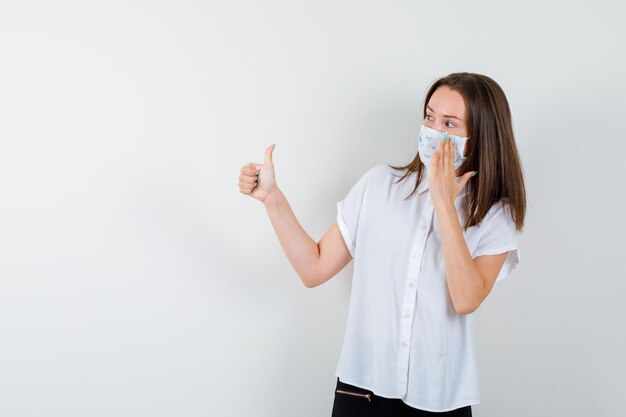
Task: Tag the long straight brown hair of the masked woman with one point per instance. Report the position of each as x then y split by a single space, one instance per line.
491 147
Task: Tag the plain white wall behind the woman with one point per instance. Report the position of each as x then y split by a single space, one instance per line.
135 279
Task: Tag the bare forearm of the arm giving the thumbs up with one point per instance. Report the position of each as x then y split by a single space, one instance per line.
301 250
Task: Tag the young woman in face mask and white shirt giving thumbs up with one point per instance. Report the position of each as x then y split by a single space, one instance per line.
429 240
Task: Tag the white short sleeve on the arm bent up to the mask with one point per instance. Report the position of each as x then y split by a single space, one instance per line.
500 236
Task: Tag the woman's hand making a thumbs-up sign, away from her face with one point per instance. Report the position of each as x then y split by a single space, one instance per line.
261 187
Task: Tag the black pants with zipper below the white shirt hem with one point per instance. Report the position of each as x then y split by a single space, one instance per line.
352 401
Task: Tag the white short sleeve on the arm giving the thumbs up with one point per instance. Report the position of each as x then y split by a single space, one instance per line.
348 211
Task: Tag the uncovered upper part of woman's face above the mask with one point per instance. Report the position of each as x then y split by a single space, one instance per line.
446 112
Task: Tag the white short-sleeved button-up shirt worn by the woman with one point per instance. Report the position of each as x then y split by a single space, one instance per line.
404 339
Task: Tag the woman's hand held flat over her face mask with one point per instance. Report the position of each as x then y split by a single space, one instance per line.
444 187
